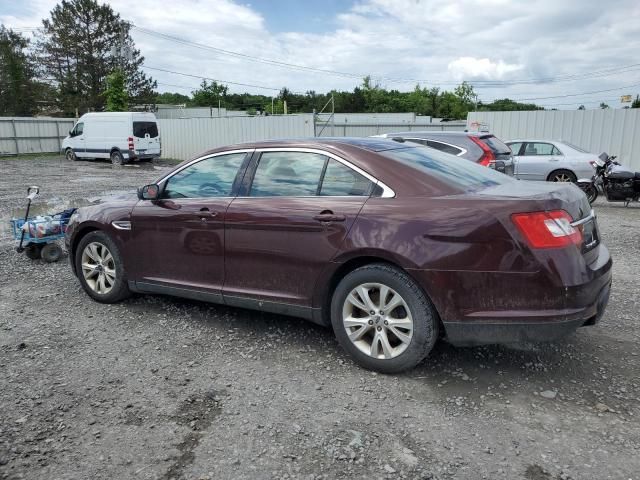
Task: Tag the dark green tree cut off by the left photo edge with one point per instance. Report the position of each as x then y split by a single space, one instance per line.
19 91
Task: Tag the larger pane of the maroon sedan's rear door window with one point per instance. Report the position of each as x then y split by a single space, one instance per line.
290 174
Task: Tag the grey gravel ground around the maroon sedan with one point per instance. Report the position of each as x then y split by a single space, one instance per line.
161 388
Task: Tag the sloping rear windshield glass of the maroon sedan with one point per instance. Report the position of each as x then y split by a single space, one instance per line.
452 170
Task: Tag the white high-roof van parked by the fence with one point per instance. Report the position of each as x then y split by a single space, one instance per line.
119 136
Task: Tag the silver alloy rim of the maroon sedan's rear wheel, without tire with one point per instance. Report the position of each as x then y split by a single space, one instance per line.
377 320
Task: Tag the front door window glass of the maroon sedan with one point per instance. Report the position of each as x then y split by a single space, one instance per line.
211 177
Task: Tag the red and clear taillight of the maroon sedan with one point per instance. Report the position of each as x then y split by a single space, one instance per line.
547 229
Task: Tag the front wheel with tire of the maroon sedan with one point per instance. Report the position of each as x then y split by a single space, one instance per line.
100 268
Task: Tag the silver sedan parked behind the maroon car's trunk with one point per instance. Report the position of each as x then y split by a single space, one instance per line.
551 161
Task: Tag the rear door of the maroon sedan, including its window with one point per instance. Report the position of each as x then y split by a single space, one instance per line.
297 209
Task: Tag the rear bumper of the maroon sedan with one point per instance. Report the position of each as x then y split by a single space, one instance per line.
511 308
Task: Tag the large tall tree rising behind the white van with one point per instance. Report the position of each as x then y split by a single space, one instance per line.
81 44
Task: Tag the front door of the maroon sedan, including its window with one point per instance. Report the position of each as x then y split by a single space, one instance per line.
180 237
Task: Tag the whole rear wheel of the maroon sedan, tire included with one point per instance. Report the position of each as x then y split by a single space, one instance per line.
388 341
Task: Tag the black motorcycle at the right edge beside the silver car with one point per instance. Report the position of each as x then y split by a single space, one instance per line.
618 183
